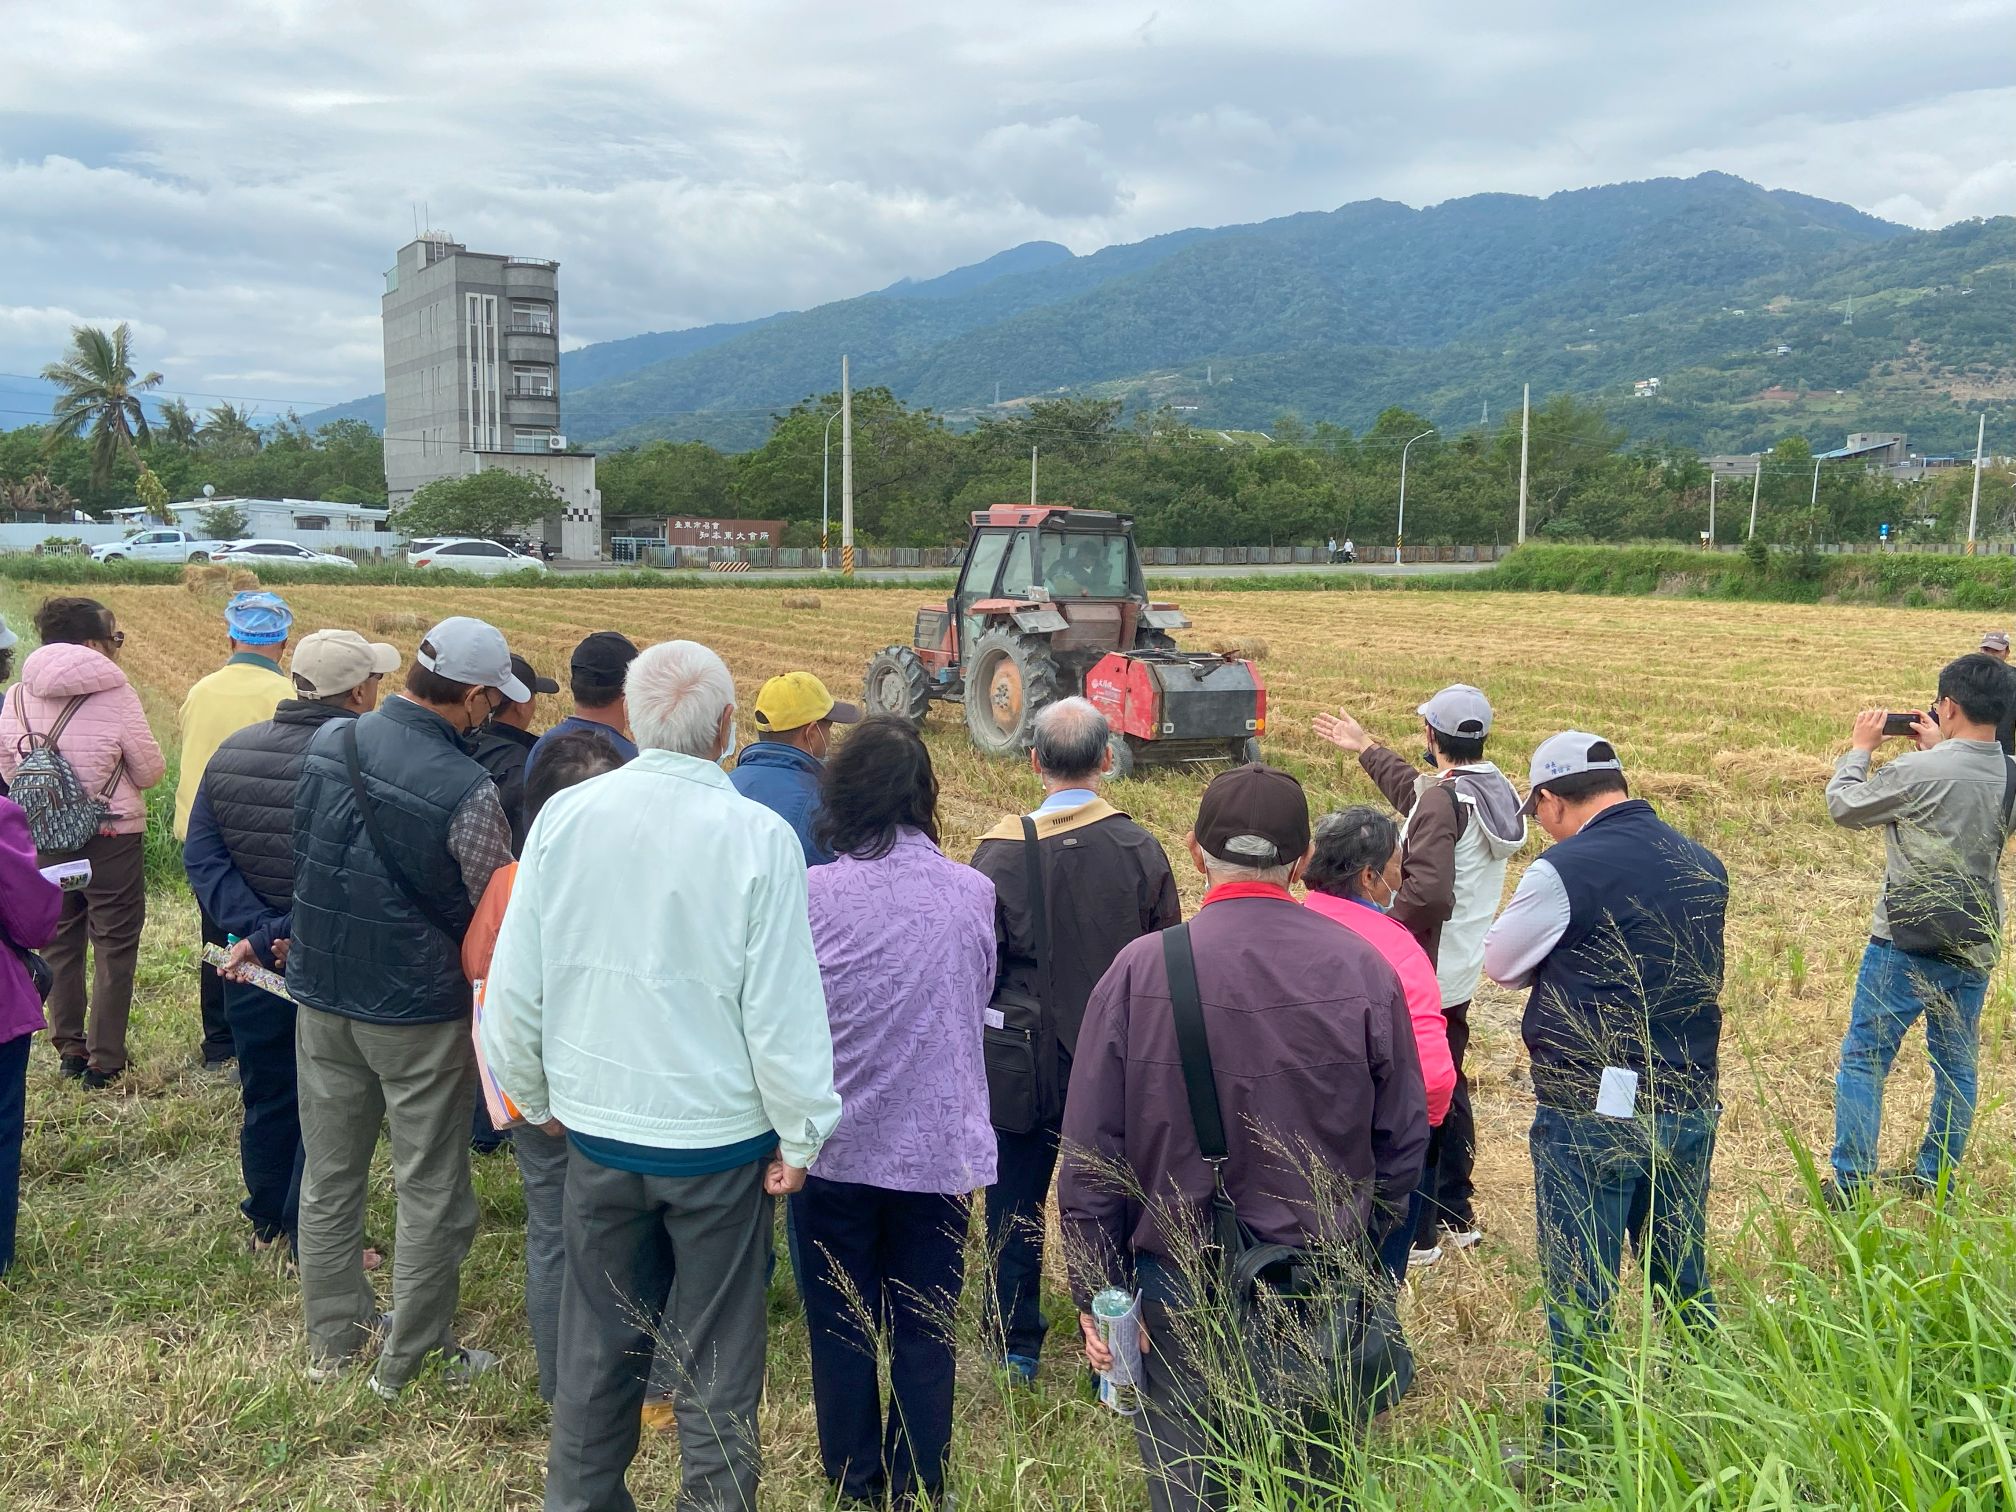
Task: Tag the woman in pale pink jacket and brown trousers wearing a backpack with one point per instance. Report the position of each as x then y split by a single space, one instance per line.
114 753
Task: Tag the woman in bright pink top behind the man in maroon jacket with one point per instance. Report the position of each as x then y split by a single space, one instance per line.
1352 878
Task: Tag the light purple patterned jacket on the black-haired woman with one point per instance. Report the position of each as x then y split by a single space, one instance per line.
906 953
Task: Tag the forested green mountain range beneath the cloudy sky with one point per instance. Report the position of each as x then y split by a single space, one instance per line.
1759 313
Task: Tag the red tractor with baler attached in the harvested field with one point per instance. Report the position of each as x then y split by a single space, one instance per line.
1051 604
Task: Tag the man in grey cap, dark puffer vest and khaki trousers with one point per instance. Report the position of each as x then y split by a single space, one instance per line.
396 838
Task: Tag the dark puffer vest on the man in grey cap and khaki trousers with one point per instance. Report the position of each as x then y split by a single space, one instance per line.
360 949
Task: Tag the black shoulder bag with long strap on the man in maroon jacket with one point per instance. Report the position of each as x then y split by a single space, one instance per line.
1319 1326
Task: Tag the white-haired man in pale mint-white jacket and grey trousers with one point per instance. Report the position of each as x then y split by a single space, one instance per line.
656 999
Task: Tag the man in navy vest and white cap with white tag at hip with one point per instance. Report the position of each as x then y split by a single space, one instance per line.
1618 930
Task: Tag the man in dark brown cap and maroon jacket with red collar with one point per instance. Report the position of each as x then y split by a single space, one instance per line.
1315 1072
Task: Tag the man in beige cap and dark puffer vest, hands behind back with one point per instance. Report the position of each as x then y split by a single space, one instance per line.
241 862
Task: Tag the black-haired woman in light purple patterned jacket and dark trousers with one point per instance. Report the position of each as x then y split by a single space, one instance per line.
906 953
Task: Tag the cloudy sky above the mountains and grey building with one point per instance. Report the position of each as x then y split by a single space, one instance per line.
235 178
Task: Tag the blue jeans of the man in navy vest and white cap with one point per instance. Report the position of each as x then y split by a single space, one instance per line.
1602 1182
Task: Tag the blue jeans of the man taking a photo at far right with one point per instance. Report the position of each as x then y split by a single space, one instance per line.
1890 993
